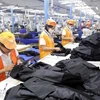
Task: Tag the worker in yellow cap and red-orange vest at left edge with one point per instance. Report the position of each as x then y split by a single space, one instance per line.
8 54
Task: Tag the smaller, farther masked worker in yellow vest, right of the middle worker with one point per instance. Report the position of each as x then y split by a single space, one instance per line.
67 35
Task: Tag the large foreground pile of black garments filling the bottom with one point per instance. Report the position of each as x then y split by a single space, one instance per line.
68 80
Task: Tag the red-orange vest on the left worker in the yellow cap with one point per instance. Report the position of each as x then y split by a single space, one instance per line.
14 59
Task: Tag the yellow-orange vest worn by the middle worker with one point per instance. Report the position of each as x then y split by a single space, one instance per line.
49 43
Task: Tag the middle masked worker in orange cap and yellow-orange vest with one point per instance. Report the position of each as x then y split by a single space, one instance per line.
46 41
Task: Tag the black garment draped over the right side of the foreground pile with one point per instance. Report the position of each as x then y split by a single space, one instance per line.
89 73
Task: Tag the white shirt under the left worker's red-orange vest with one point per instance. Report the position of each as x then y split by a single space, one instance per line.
6 58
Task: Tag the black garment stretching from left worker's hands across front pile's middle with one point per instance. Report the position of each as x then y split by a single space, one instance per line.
45 72
